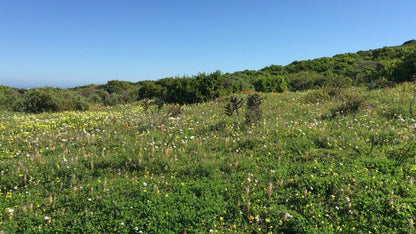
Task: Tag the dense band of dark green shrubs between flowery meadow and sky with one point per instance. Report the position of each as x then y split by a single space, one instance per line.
373 68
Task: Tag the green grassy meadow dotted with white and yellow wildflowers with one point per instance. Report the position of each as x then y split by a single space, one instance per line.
327 160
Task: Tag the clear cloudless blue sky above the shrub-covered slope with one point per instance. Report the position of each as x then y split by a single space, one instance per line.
66 43
